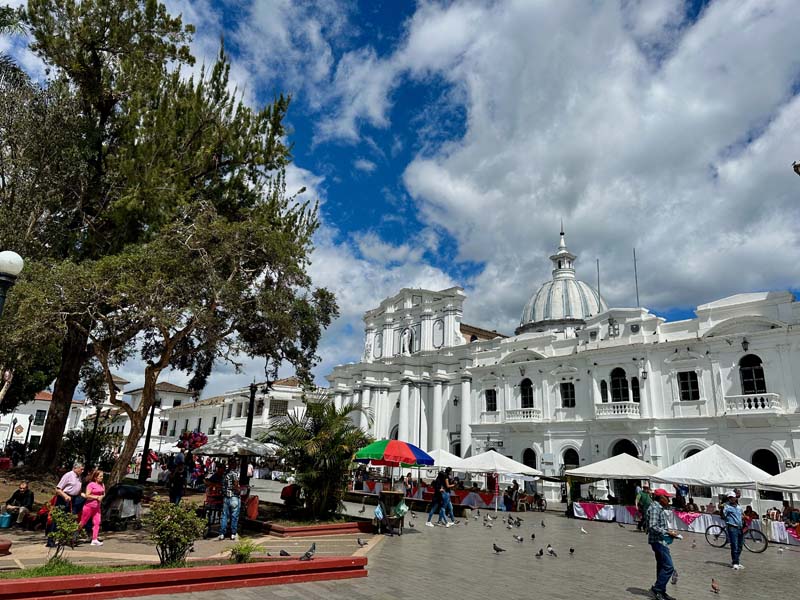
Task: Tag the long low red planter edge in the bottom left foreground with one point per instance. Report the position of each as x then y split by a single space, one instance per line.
175 581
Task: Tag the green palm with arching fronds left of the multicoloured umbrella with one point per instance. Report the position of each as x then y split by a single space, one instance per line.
320 444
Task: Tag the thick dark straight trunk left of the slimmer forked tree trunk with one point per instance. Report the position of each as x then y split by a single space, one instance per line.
73 355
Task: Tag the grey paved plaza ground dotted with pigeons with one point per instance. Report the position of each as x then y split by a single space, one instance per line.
609 562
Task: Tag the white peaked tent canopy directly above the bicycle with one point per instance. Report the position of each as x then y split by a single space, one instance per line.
713 466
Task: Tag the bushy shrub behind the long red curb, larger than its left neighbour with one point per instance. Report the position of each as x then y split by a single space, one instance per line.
174 528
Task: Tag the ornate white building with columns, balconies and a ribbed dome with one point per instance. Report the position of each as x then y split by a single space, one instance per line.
579 381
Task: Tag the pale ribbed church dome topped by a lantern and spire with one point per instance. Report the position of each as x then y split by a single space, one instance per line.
563 301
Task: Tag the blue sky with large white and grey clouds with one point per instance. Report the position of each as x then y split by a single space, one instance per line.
446 140
